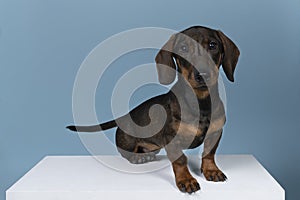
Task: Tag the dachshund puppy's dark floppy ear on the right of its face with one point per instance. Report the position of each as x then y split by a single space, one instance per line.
230 56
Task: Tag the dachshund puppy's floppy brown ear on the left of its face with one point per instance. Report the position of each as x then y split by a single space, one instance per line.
165 65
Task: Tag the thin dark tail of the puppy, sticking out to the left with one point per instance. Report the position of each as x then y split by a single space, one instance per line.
94 128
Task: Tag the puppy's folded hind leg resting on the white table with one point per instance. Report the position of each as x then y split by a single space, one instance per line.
134 151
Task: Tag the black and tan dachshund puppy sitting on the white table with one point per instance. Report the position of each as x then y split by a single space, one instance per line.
198 53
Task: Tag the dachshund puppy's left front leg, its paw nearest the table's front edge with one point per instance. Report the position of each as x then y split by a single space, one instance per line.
184 180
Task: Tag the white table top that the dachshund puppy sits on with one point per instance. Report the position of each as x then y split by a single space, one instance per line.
84 178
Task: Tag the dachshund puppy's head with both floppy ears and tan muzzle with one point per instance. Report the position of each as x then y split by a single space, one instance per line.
199 52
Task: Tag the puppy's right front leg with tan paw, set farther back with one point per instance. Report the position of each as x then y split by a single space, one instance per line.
208 166
